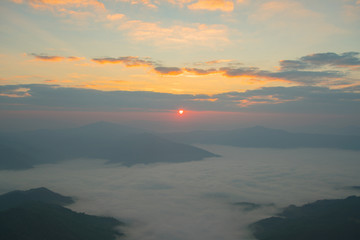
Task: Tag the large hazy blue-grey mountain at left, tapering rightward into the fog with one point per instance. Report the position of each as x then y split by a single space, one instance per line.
116 143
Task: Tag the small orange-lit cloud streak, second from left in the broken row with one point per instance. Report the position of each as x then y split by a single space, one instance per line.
129 61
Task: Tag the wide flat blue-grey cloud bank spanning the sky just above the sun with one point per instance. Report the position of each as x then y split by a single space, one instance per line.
297 99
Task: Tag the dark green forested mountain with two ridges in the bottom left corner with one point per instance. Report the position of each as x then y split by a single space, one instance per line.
36 214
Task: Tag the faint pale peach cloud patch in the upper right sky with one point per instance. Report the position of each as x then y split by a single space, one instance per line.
292 21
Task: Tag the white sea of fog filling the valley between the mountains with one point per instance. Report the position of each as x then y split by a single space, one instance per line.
195 200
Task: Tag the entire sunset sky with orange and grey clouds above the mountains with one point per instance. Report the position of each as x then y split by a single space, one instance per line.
277 63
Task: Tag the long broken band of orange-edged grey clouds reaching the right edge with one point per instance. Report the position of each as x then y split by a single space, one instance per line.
306 70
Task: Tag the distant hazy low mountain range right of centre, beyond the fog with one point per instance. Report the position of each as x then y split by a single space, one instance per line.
261 137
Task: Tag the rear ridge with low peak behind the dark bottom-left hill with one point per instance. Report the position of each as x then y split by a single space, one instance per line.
15 198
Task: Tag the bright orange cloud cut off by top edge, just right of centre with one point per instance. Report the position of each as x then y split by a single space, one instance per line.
213 5
